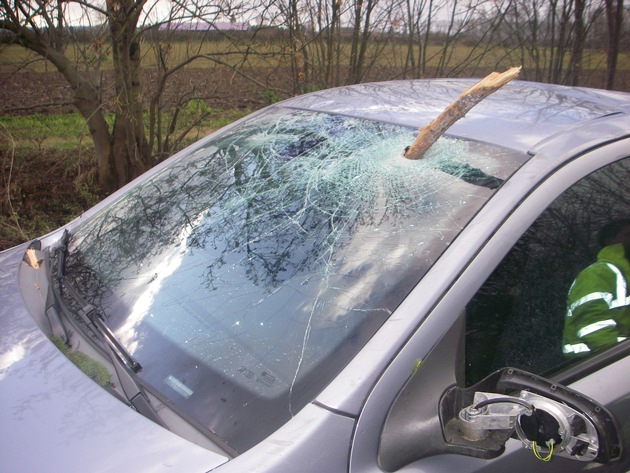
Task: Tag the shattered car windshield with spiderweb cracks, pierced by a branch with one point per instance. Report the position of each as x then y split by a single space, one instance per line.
246 274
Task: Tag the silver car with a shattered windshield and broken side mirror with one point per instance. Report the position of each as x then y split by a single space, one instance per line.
292 294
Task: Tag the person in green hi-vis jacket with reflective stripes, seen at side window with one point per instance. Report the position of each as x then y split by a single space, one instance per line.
598 314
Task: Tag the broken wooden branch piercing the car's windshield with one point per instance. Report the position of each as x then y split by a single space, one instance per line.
456 110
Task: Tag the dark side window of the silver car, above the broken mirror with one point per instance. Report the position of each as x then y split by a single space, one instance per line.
517 318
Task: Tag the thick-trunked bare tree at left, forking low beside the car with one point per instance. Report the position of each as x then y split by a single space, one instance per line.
42 26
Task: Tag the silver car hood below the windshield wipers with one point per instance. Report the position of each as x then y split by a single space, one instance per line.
50 407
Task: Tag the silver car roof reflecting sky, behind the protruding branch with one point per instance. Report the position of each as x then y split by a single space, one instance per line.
518 116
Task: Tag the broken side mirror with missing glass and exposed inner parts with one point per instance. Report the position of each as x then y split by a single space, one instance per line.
548 418
